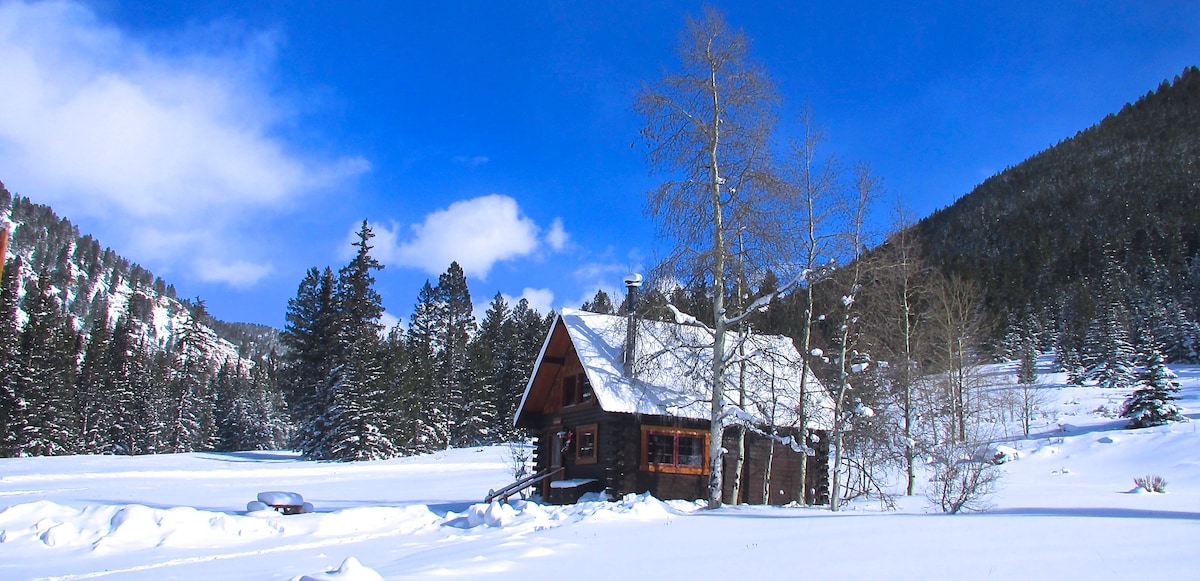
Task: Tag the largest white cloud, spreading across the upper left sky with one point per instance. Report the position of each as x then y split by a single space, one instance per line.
98 123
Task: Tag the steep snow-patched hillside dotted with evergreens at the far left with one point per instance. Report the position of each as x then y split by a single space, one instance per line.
98 356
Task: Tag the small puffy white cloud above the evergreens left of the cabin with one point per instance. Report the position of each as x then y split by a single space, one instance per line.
477 233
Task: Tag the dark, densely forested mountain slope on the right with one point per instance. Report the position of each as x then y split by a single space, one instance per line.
1111 215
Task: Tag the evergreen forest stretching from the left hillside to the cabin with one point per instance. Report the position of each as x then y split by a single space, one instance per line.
98 356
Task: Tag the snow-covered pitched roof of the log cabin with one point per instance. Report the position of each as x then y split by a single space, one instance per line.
673 370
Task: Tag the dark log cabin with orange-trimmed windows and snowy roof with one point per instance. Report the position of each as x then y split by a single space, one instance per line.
621 405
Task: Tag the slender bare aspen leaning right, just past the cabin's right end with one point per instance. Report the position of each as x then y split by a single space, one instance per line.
856 238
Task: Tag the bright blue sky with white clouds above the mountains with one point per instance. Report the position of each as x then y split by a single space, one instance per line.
229 147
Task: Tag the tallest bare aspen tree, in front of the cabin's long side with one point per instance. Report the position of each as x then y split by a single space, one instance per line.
709 127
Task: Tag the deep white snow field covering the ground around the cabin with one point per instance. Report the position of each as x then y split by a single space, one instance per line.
1066 510
